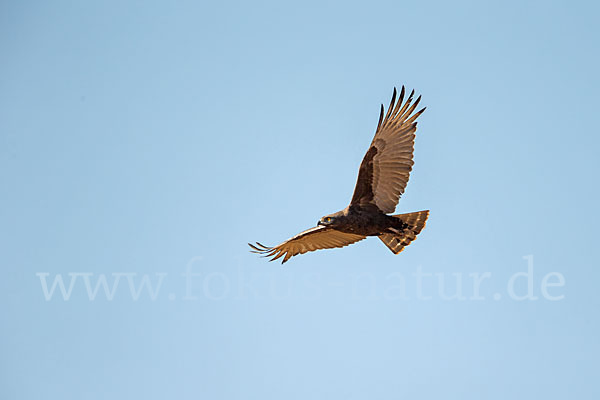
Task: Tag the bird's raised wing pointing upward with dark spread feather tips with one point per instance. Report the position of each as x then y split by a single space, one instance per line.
386 167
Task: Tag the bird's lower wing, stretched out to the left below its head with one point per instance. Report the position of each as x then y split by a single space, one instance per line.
319 237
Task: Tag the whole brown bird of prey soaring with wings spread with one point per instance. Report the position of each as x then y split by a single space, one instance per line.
382 178
